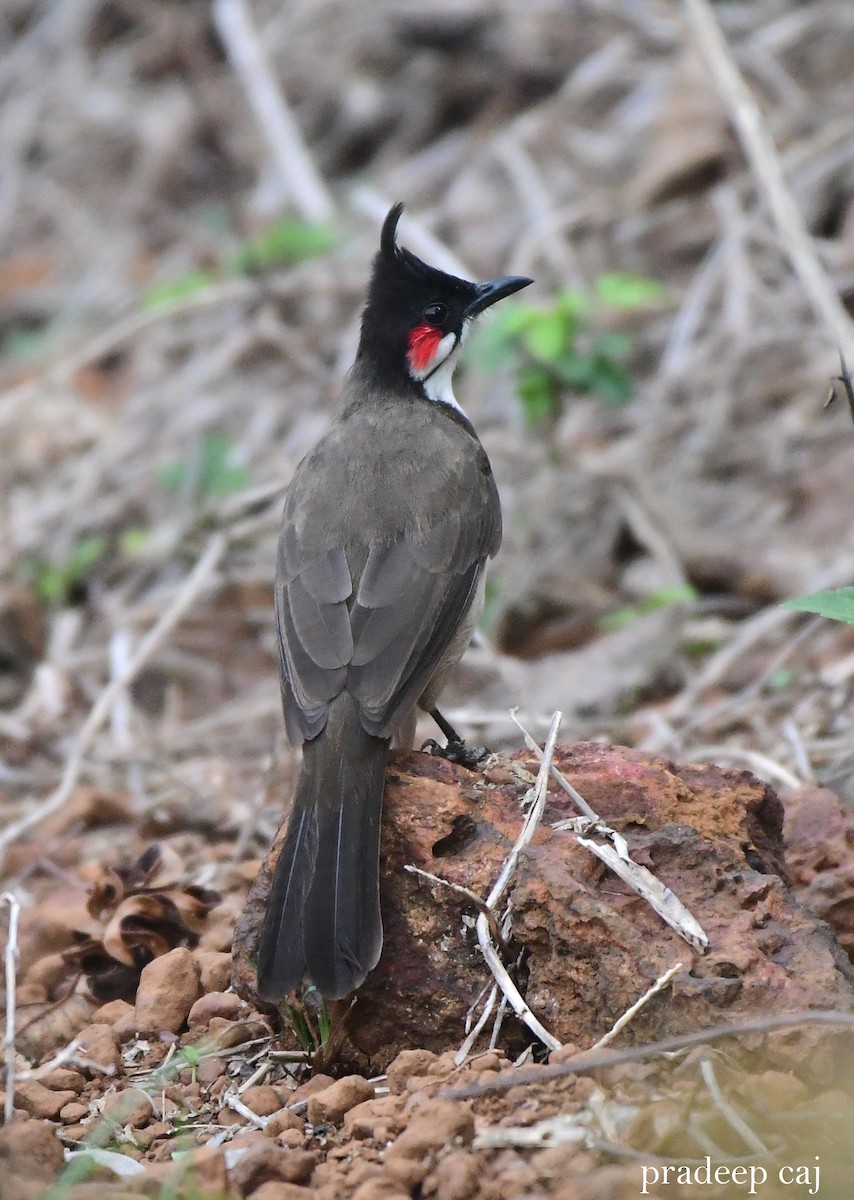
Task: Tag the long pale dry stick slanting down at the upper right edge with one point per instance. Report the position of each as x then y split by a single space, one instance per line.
765 163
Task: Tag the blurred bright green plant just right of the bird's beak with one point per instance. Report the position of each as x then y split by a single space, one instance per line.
566 347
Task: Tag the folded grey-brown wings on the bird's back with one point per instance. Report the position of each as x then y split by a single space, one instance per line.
374 617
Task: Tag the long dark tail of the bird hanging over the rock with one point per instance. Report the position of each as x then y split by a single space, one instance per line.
323 919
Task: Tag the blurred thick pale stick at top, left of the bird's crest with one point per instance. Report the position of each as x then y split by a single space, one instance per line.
293 163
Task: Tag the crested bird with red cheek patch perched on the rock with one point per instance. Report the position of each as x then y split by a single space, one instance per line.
387 530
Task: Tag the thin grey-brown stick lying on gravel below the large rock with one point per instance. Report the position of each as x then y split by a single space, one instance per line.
588 1061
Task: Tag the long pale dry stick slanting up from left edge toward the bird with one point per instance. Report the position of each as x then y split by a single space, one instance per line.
103 707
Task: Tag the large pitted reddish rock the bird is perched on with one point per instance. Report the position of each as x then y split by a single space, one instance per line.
712 835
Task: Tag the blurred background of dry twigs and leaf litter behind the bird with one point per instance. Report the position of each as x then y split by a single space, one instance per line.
191 197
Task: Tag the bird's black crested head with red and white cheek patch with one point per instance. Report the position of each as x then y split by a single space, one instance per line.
417 316
